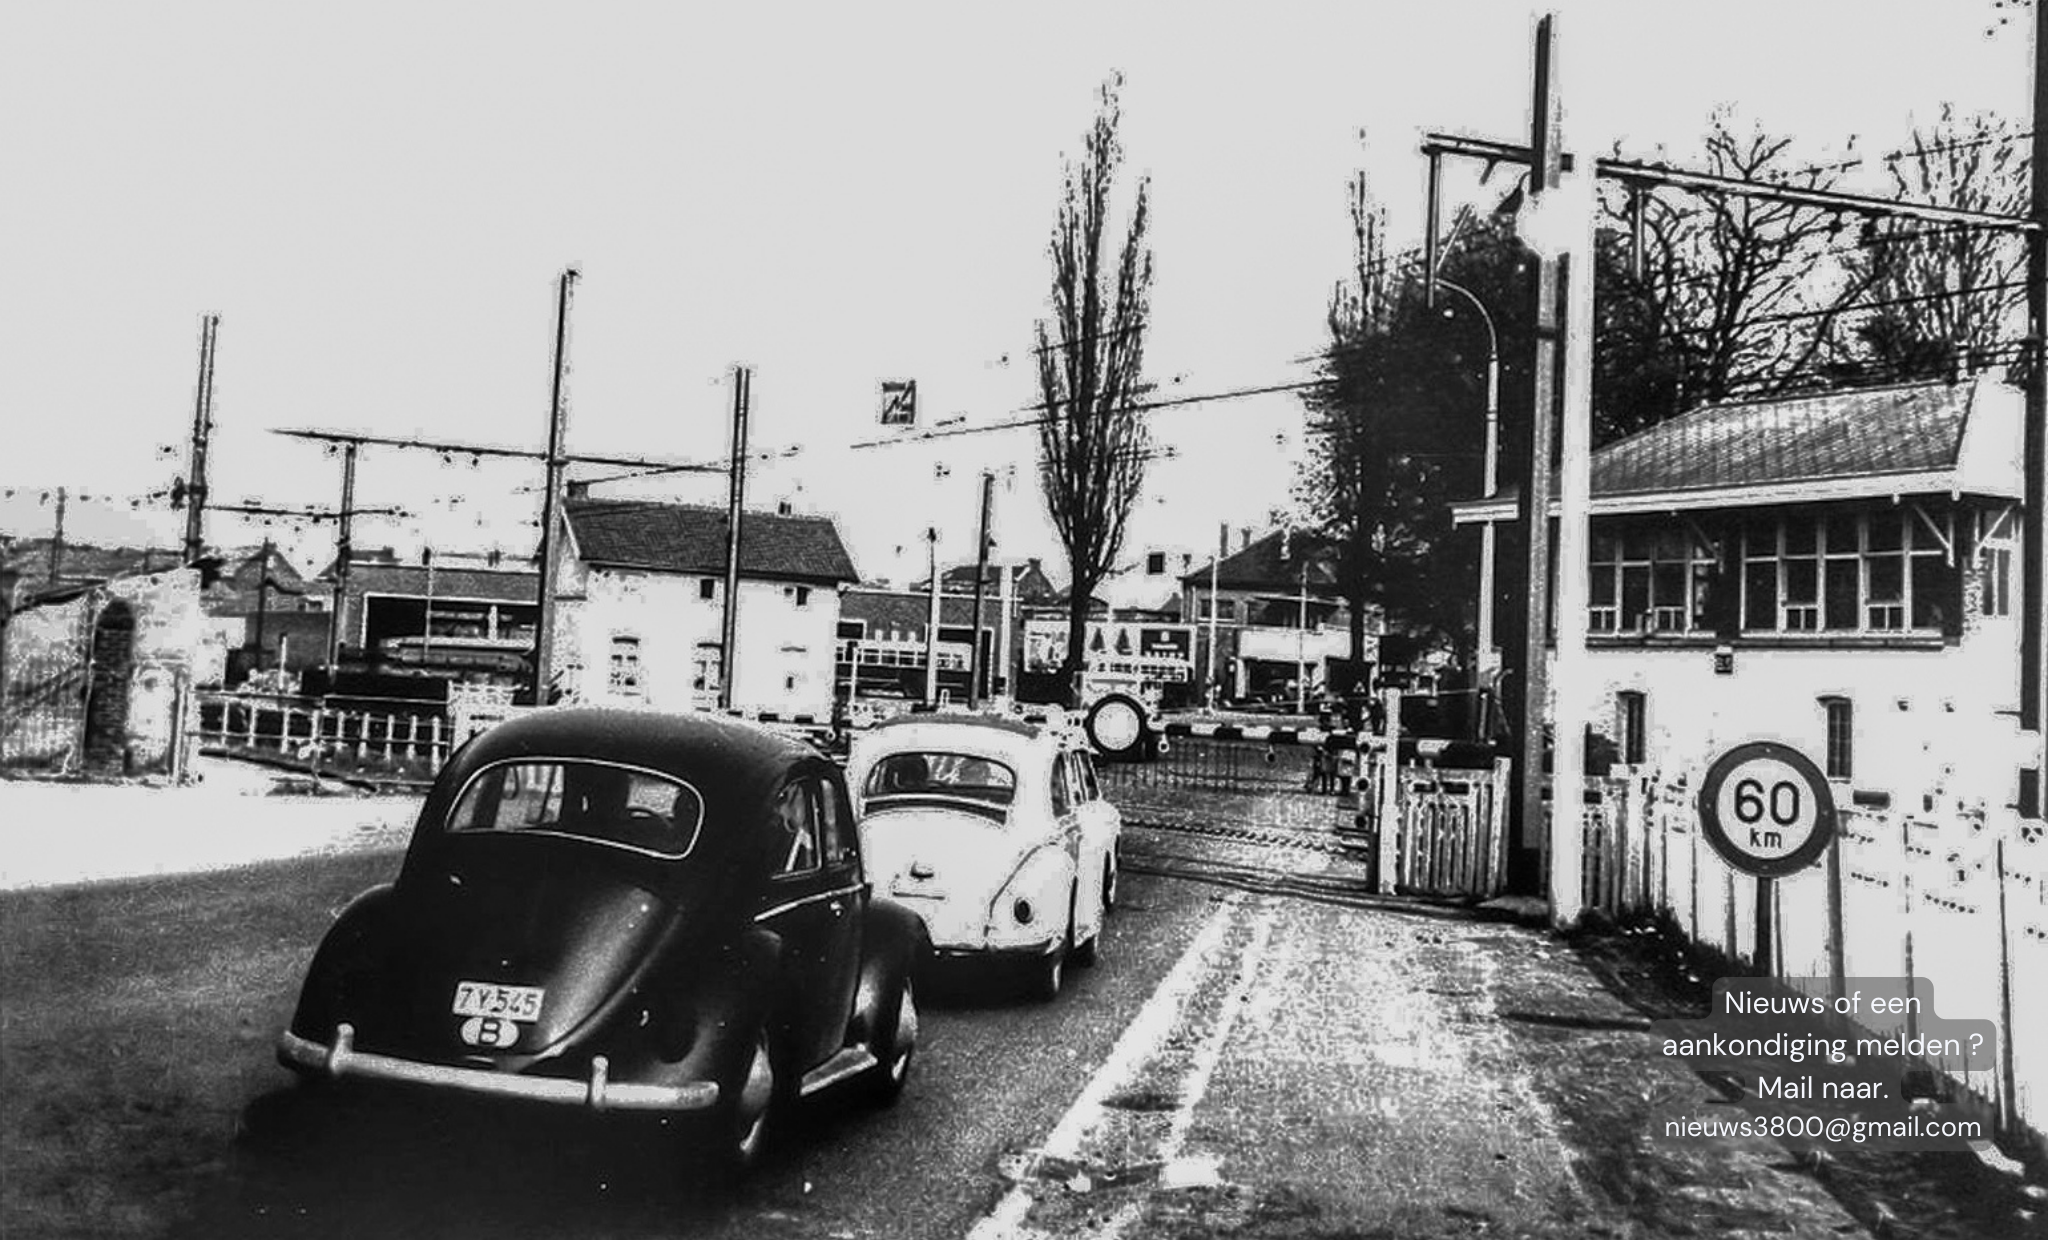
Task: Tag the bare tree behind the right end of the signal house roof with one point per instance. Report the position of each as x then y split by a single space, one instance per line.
1947 296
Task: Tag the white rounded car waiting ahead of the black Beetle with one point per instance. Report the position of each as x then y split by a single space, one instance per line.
994 831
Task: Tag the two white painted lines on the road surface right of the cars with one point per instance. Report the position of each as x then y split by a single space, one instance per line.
1142 1042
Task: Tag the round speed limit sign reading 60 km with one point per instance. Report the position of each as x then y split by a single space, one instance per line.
1766 809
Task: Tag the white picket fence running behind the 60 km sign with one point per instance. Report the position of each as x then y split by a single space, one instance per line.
1953 895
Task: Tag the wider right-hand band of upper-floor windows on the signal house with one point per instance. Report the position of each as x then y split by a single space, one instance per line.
1879 573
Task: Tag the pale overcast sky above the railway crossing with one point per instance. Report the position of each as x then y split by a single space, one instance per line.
380 198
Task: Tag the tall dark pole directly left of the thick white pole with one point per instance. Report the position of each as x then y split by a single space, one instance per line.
1531 856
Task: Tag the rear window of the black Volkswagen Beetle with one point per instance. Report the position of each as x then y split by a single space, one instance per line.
589 800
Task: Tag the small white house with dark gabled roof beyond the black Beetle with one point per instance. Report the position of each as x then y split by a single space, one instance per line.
642 604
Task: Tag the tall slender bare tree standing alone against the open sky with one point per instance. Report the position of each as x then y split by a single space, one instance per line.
1093 440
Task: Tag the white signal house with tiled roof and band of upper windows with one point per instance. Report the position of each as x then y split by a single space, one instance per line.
1834 571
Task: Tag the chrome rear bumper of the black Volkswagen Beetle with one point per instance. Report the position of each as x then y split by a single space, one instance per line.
339 1061
